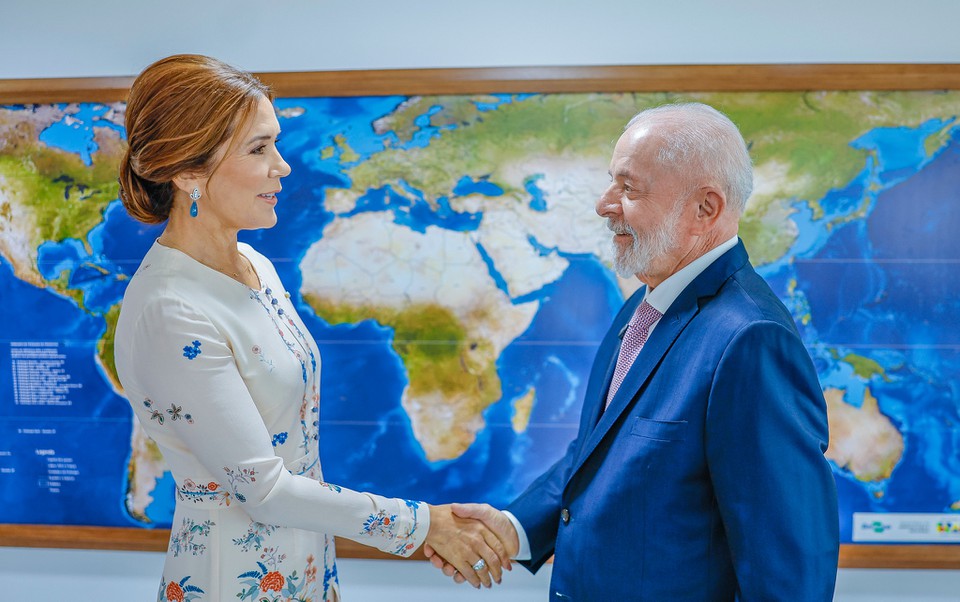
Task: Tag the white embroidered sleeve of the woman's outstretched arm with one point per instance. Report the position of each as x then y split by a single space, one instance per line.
196 404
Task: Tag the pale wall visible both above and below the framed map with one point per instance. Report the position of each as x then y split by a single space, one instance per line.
77 38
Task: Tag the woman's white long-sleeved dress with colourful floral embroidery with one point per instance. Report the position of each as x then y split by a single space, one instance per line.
226 380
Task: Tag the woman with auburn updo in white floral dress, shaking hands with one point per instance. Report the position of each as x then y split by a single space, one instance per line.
221 371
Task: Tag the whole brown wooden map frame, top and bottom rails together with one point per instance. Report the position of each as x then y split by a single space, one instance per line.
604 79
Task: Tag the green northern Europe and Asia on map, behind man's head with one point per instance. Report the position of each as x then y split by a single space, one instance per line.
808 132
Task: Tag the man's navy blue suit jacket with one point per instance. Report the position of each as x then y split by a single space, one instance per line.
705 478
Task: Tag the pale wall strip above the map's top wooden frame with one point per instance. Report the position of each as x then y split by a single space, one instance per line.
58 38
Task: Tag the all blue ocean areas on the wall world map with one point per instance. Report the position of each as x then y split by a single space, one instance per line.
873 268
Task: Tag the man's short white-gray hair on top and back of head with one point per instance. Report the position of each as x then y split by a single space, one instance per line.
700 139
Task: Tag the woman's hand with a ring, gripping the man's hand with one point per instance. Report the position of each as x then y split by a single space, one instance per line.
463 543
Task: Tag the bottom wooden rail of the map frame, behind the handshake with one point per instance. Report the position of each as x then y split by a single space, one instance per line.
155 540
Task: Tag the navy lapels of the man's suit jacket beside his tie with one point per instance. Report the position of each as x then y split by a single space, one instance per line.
678 315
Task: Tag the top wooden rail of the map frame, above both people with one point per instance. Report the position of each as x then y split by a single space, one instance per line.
610 78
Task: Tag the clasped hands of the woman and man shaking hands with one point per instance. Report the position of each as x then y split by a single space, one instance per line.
471 542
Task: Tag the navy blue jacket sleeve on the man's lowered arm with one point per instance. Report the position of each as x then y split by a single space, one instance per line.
781 515
